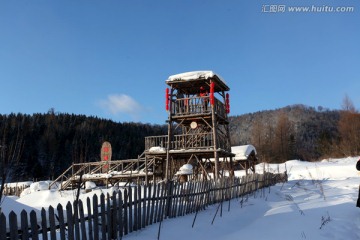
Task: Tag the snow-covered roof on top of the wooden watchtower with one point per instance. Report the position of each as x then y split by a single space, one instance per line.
191 81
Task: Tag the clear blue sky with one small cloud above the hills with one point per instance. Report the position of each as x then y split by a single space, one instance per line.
111 58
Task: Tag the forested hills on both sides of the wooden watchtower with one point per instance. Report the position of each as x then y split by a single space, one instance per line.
42 146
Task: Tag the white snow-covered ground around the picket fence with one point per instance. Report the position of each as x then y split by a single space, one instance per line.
318 202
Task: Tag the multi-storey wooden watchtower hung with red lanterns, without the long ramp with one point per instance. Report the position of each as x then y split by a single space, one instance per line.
198 127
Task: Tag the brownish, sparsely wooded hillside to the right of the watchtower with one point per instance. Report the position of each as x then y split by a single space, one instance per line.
299 132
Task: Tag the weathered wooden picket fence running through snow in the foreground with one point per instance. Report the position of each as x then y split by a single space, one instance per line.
115 215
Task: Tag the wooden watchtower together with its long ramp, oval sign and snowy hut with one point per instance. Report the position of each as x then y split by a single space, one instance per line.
197 143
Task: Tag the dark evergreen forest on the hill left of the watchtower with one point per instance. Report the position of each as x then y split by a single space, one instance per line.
42 146
